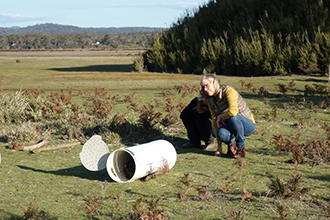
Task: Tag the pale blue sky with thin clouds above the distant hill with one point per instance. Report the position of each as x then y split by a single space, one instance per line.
102 13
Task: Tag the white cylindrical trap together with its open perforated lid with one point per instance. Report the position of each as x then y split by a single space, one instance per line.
128 164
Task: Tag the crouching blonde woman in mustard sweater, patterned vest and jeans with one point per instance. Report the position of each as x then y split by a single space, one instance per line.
232 118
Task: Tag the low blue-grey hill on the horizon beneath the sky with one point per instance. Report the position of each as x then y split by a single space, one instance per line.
56 29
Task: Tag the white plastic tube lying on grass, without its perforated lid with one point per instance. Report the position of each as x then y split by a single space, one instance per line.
131 163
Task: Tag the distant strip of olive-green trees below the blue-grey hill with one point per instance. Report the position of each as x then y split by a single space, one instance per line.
74 41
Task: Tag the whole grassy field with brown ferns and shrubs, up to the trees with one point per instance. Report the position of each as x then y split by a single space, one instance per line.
104 92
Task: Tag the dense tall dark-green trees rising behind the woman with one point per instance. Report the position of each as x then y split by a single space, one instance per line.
251 37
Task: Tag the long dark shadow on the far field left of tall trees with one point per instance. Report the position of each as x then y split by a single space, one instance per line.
97 68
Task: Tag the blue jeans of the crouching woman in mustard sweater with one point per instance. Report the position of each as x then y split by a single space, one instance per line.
236 127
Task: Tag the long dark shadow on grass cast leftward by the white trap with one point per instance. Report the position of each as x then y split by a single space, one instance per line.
78 171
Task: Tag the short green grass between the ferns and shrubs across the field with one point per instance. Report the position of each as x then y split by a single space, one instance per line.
59 184
